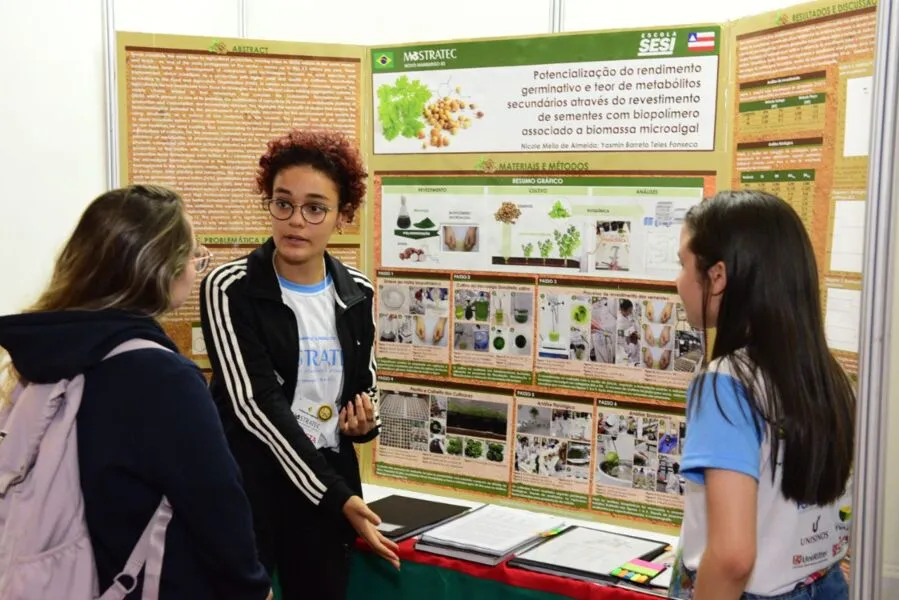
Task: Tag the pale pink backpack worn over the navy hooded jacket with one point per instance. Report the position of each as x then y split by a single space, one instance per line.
45 549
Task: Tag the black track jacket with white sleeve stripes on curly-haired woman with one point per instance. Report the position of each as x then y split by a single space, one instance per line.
253 343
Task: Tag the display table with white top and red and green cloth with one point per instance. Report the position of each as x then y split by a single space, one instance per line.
439 578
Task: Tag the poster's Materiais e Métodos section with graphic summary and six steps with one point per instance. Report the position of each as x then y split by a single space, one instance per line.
557 286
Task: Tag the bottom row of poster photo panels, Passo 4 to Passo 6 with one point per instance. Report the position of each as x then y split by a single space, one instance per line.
614 458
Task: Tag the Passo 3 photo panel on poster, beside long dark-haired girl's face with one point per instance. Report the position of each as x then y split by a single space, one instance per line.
631 343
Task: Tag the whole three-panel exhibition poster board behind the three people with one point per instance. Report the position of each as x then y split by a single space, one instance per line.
526 197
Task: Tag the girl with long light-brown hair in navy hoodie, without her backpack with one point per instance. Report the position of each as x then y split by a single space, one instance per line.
147 426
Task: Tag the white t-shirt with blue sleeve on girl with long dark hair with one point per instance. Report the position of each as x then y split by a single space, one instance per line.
792 541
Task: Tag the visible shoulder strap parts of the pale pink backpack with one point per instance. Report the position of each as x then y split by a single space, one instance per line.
149 551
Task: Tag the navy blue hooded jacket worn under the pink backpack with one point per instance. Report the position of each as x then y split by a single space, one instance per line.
147 427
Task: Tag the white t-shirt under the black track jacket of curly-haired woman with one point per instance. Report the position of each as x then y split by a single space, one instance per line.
320 369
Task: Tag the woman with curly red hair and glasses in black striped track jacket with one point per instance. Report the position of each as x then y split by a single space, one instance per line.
290 333
